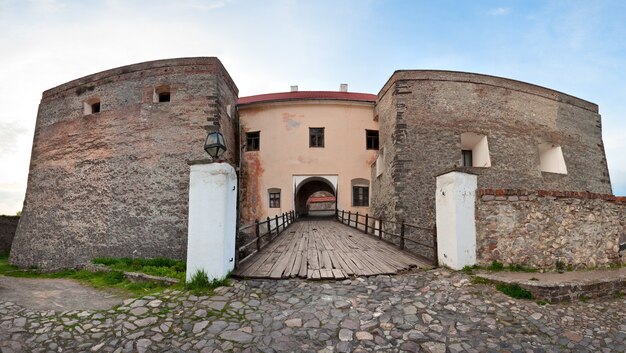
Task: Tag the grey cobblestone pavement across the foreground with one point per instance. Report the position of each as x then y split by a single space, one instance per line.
434 311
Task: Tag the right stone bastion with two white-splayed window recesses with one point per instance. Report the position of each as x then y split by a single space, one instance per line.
422 115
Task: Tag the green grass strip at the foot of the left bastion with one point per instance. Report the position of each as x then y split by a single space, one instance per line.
113 279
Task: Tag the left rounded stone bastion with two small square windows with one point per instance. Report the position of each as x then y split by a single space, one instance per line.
115 183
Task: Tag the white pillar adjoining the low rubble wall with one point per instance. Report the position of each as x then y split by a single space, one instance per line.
456 225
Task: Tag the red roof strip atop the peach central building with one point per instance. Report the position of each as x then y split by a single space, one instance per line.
306 95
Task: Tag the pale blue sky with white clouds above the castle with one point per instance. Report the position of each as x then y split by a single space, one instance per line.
576 47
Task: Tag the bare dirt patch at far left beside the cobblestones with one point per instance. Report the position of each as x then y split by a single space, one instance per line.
55 294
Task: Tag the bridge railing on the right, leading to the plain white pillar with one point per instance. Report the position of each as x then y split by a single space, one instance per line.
420 241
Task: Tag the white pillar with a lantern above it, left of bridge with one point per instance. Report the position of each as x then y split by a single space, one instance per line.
212 219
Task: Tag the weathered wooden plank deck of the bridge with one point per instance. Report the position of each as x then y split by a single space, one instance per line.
326 249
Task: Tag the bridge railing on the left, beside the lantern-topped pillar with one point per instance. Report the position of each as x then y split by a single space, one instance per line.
260 234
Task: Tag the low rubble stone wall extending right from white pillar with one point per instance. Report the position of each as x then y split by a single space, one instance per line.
537 229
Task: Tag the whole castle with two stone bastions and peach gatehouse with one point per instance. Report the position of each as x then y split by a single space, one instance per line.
109 173
